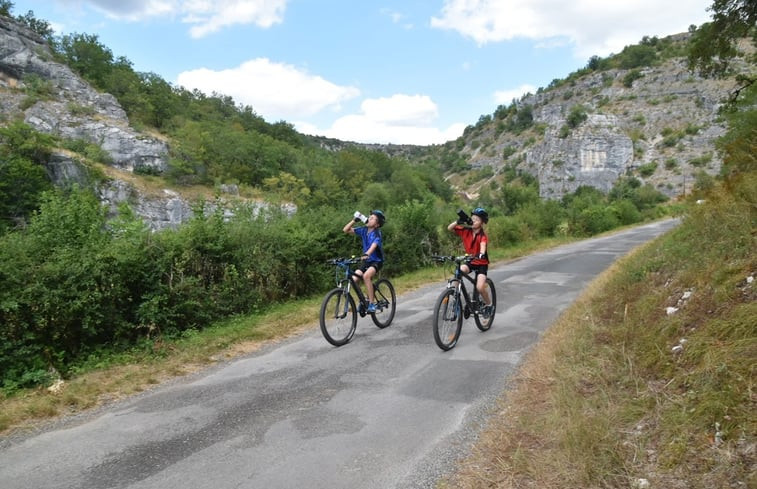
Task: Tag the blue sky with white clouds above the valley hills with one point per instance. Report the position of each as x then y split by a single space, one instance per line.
387 71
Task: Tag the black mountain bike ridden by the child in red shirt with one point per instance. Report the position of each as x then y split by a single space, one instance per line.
455 303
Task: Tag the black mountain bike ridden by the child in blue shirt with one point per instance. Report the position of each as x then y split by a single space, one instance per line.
338 310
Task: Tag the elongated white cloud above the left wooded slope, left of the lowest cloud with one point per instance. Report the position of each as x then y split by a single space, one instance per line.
274 90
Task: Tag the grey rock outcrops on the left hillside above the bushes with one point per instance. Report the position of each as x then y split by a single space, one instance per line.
76 111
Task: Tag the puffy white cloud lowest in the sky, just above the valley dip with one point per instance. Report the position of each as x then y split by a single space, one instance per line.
399 119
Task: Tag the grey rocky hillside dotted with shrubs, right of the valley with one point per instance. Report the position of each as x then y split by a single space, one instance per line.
661 128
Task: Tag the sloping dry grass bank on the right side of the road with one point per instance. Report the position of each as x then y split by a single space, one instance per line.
648 379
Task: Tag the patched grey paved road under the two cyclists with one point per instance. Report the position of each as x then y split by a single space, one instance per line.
388 410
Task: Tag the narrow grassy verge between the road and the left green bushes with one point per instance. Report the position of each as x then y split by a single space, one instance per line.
111 377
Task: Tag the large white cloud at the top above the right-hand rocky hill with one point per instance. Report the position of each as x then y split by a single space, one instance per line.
592 27
